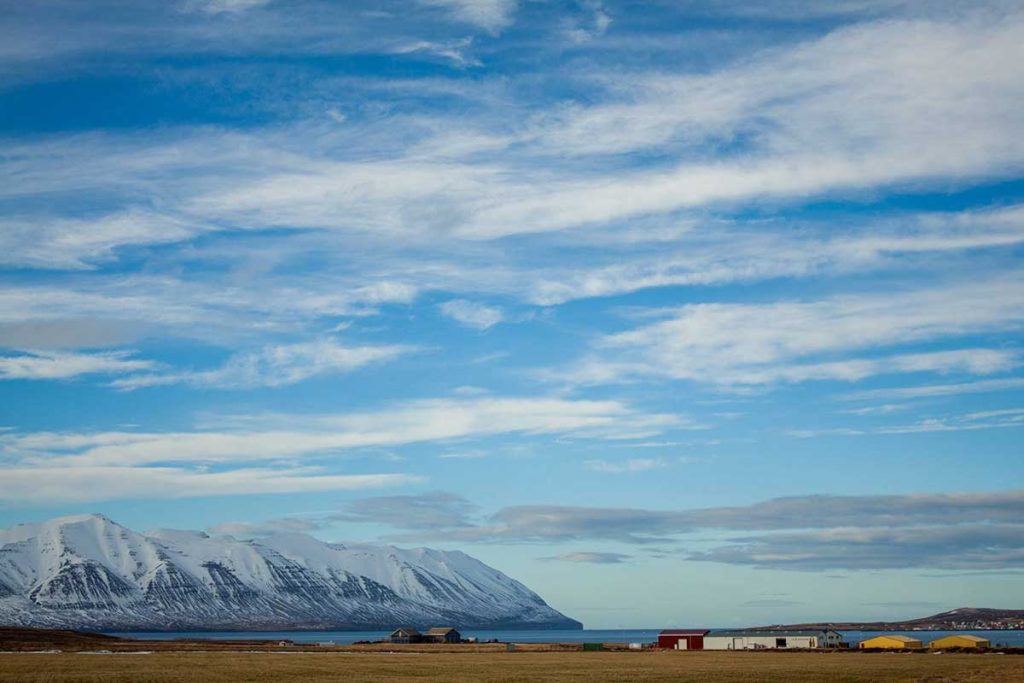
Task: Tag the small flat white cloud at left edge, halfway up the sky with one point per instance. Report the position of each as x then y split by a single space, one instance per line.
63 366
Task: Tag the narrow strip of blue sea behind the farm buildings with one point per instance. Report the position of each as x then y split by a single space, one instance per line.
1004 638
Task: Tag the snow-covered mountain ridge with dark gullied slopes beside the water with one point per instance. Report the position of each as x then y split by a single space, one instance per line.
89 572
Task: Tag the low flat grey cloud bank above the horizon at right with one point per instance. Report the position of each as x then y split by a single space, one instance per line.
803 533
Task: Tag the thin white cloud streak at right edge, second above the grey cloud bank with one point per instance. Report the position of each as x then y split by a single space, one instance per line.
717 252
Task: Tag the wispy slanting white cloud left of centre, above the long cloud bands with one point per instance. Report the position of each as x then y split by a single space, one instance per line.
275 366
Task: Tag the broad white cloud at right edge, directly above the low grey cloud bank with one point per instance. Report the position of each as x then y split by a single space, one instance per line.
783 343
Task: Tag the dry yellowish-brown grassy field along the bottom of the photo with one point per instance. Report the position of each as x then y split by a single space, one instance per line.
513 667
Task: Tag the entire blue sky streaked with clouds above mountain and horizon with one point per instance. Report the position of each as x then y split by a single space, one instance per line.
682 314
